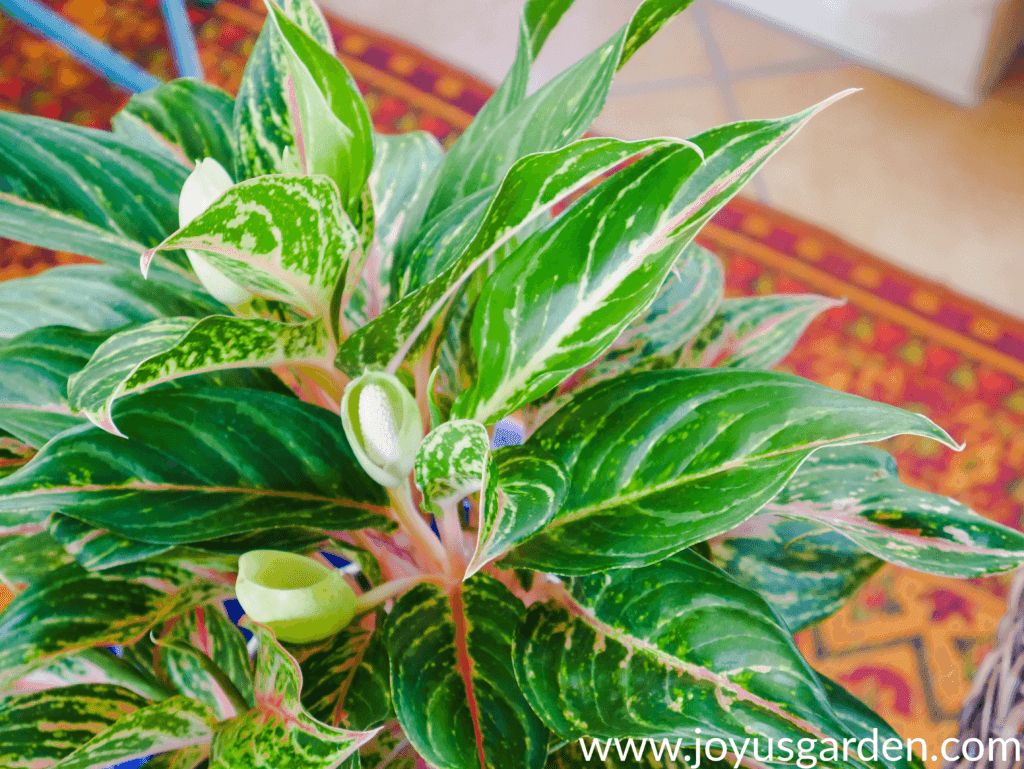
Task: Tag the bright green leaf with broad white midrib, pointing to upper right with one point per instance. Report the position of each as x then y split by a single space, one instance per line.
565 297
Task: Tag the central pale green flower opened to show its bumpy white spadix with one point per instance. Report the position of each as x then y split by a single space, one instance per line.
383 426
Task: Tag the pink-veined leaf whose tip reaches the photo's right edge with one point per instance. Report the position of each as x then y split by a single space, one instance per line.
858 492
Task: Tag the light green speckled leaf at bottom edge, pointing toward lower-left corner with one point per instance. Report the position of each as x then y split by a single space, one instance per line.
175 724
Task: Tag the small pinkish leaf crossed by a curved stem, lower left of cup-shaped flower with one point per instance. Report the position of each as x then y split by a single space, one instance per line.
209 632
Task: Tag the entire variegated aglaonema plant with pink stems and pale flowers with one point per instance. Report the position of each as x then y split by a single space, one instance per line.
297 350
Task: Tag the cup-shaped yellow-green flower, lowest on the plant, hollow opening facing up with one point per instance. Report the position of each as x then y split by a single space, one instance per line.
302 601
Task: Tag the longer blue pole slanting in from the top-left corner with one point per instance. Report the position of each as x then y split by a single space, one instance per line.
89 51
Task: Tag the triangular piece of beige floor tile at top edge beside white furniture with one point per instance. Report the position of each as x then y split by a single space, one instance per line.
747 44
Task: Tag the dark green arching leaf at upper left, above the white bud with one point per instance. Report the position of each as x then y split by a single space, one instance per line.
191 118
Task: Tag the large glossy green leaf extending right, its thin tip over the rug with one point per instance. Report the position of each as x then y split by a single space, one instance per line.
662 460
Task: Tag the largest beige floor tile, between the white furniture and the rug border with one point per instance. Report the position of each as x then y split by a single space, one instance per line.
934 188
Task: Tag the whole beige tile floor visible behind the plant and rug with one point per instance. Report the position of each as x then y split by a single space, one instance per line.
932 187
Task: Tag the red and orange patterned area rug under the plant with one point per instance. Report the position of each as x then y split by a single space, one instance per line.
909 644
